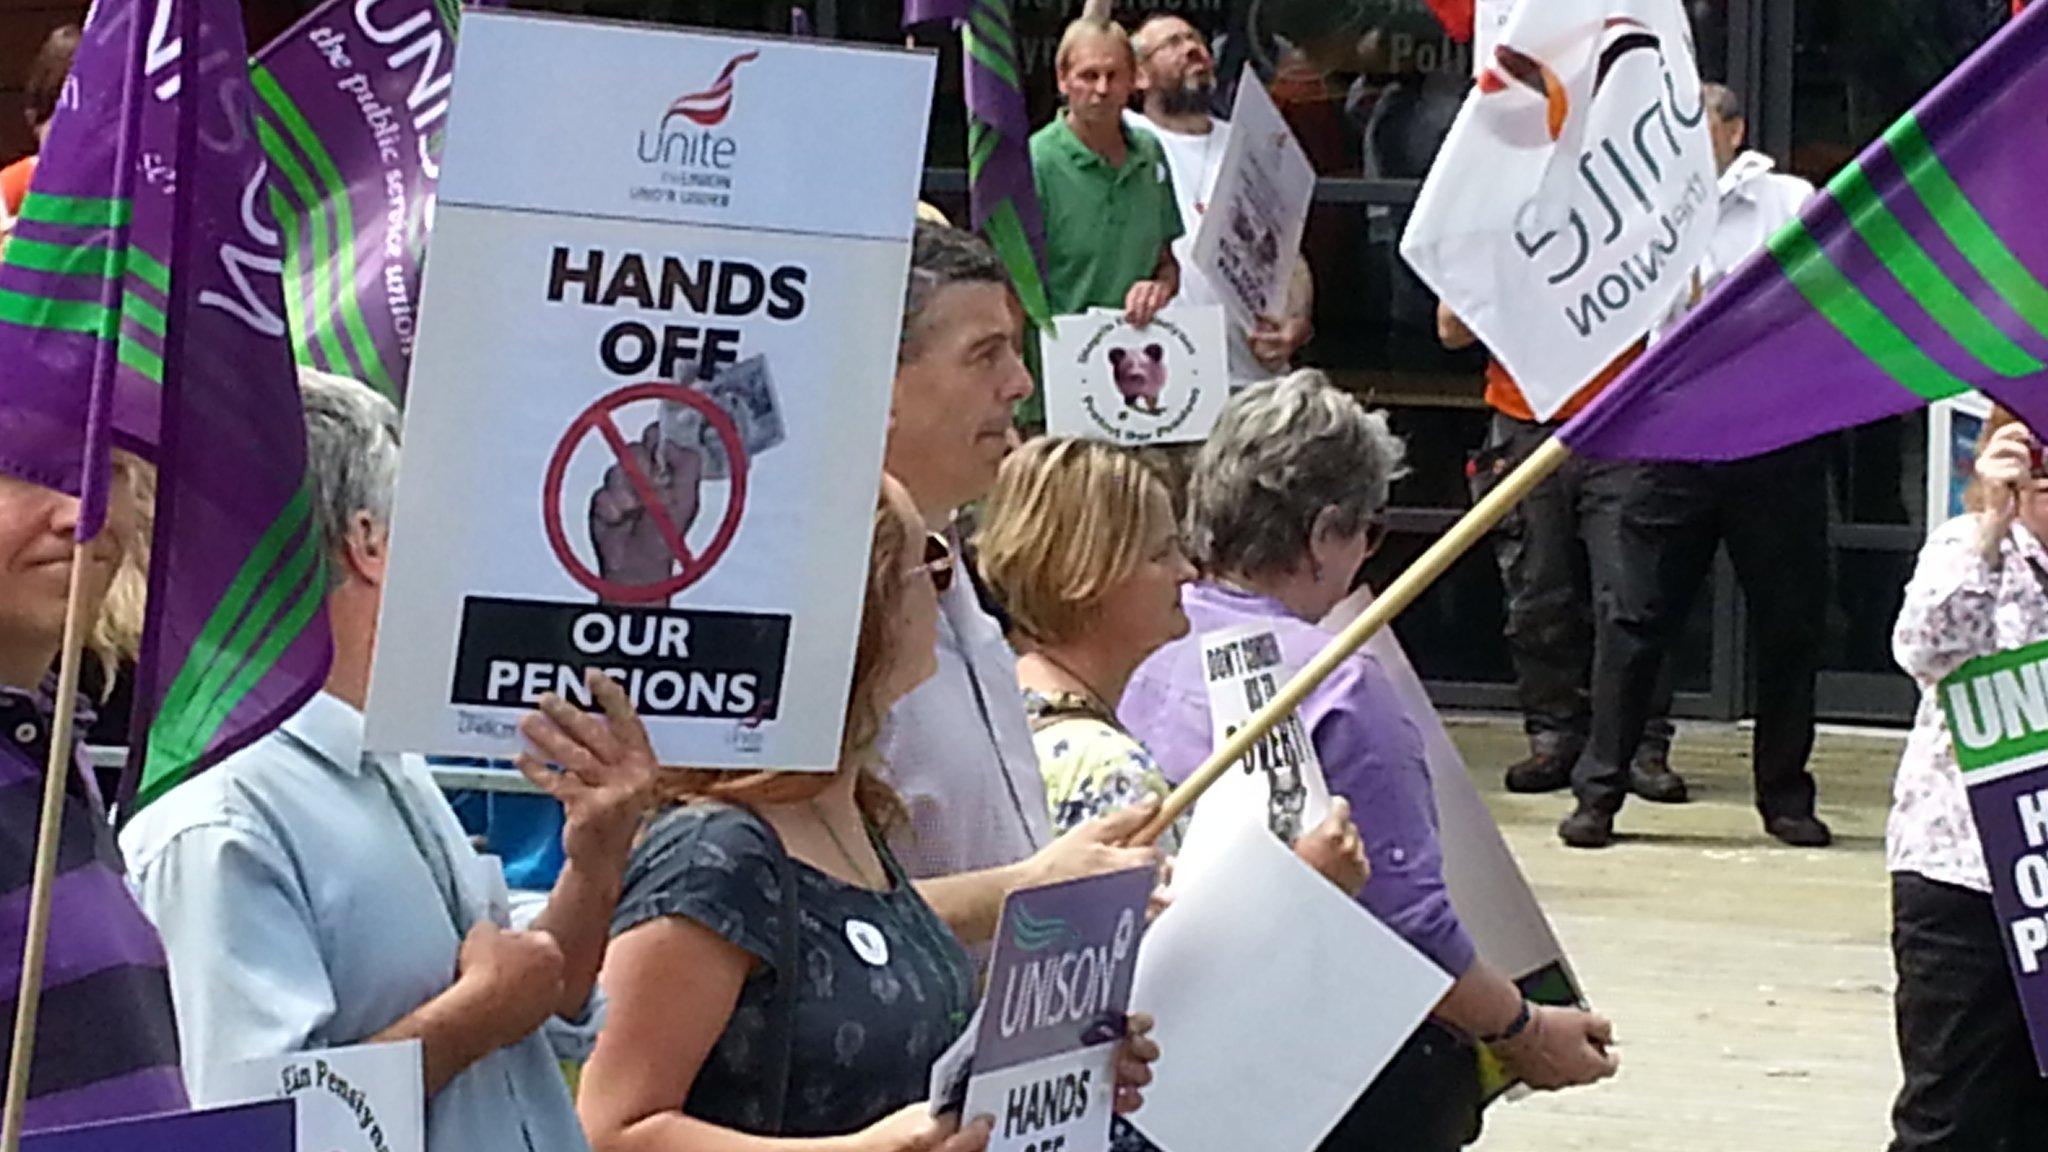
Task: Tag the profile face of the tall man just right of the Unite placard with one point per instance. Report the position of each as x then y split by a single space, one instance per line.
955 395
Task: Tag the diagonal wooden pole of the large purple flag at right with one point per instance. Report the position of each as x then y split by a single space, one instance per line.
1406 589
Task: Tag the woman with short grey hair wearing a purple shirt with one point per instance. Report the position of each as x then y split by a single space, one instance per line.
1283 509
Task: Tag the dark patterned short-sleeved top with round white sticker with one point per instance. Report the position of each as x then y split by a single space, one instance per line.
884 985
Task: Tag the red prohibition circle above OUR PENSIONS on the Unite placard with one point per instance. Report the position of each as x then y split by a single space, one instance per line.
599 419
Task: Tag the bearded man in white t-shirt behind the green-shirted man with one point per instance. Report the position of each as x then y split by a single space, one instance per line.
1179 81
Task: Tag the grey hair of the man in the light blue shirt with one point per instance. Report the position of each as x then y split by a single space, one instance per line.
351 452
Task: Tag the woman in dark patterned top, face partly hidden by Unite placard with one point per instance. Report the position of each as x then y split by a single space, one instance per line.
775 981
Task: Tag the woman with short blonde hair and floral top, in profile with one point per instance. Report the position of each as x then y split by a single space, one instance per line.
1082 548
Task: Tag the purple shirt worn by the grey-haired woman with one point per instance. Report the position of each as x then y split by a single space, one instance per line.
1371 751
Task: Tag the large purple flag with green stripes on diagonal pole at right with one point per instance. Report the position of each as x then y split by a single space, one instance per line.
1916 276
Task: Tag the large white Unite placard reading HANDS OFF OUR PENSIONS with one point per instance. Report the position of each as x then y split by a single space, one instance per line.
650 388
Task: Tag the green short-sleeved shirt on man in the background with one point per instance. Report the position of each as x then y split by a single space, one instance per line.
1105 227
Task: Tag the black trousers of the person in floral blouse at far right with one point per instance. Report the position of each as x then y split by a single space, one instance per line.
1971 1083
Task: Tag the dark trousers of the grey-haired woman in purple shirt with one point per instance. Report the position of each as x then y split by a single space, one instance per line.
1424 1102
